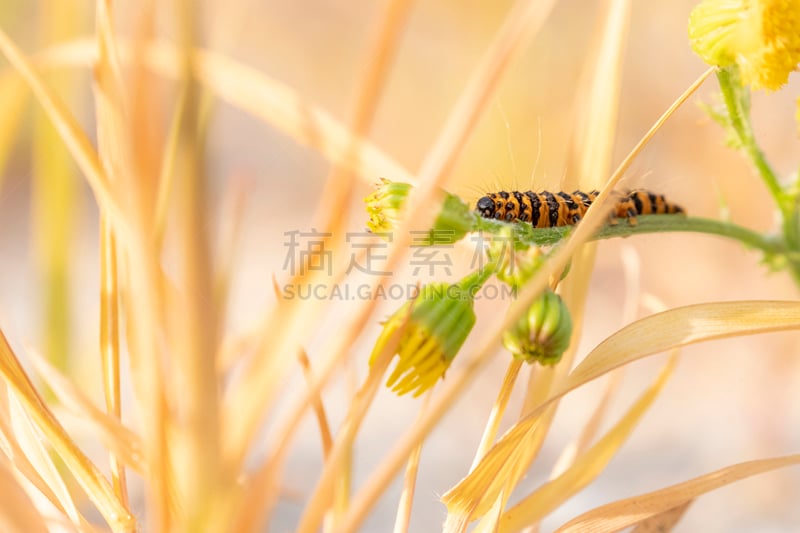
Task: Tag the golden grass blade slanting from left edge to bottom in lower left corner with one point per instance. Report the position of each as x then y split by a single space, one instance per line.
89 477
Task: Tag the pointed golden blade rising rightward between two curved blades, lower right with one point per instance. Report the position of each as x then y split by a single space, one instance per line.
587 467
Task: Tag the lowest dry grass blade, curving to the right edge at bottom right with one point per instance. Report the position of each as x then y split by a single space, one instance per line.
624 513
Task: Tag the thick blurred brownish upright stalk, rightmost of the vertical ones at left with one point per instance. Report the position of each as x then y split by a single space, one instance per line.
199 479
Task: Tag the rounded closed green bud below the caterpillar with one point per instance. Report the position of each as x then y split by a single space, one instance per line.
542 334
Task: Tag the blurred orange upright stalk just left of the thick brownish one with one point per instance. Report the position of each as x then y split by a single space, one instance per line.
144 295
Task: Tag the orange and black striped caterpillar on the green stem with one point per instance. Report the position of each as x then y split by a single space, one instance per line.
548 210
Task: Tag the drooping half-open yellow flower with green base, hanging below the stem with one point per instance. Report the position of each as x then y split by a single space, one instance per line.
437 325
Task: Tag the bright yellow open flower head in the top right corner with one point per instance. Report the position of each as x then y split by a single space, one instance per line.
762 37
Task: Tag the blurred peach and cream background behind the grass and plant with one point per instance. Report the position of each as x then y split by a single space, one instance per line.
728 402
